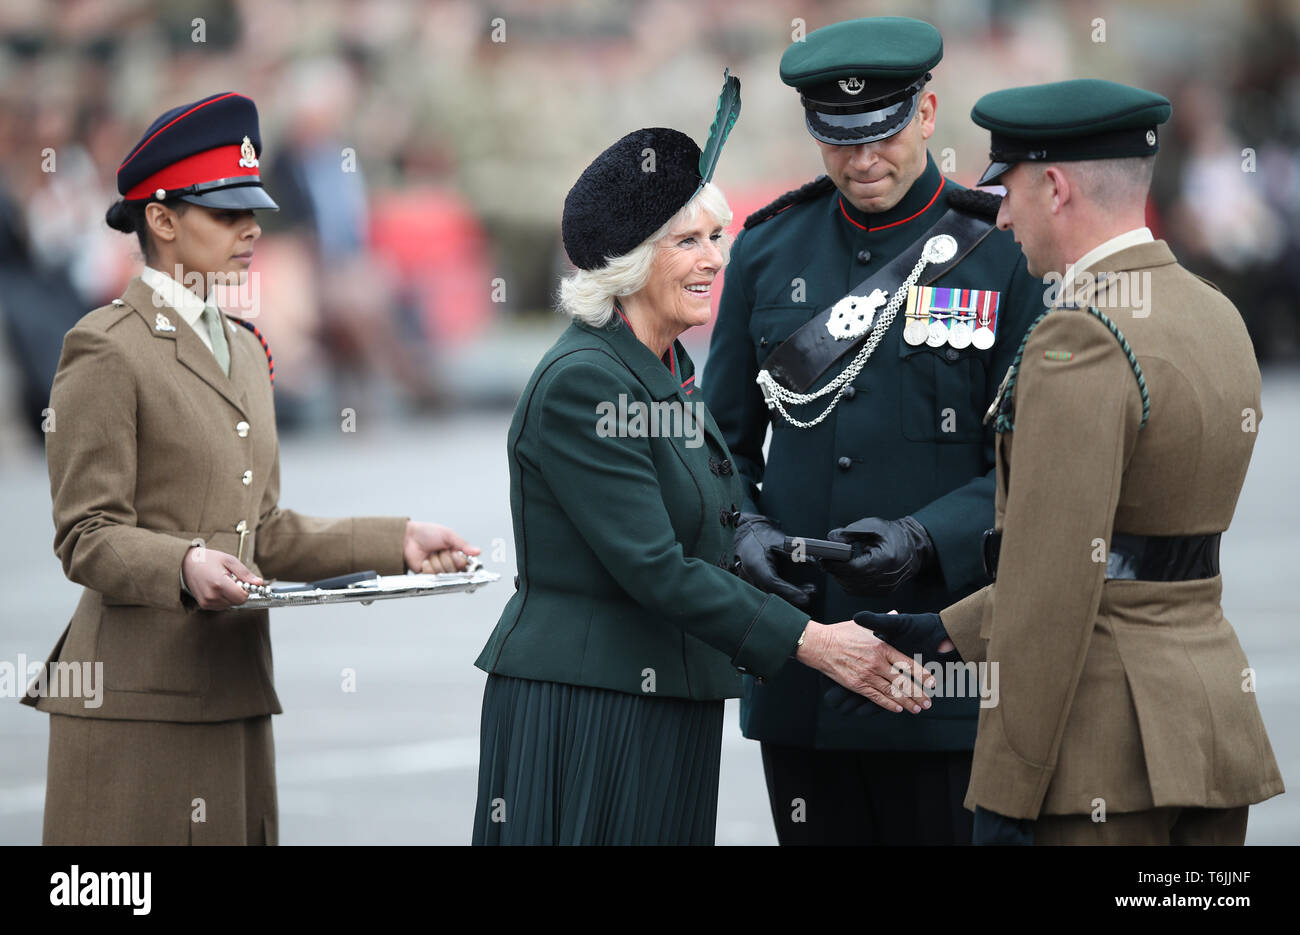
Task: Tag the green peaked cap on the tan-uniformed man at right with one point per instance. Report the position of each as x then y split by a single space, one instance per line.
1069 122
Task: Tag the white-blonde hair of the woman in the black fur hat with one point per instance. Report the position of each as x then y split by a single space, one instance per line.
588 295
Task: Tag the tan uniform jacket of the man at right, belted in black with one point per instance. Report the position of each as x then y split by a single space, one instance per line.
1136 694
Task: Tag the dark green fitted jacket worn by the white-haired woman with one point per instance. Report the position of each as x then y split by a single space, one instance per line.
625 544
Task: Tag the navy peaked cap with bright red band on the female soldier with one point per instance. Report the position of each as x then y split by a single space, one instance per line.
206 153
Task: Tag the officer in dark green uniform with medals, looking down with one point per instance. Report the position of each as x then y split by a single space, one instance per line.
868 319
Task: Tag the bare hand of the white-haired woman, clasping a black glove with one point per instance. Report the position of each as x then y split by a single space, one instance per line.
855 659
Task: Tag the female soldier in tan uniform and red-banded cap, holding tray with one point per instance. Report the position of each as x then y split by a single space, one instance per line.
164 471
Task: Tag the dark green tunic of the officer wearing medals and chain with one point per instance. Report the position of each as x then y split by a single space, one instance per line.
882 453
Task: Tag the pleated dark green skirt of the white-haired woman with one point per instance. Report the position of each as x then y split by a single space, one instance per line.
577 765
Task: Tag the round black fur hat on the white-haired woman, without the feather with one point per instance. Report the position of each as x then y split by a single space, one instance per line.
629 193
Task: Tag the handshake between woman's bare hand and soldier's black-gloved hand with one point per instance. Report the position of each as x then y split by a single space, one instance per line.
873 659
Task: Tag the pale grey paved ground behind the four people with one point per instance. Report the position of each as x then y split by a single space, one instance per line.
396 761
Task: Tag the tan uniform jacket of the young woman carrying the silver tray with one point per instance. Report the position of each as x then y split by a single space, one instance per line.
154 449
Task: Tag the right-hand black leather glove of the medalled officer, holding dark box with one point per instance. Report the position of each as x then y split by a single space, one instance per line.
886 553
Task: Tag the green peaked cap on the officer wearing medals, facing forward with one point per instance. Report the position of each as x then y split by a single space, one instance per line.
860 79
